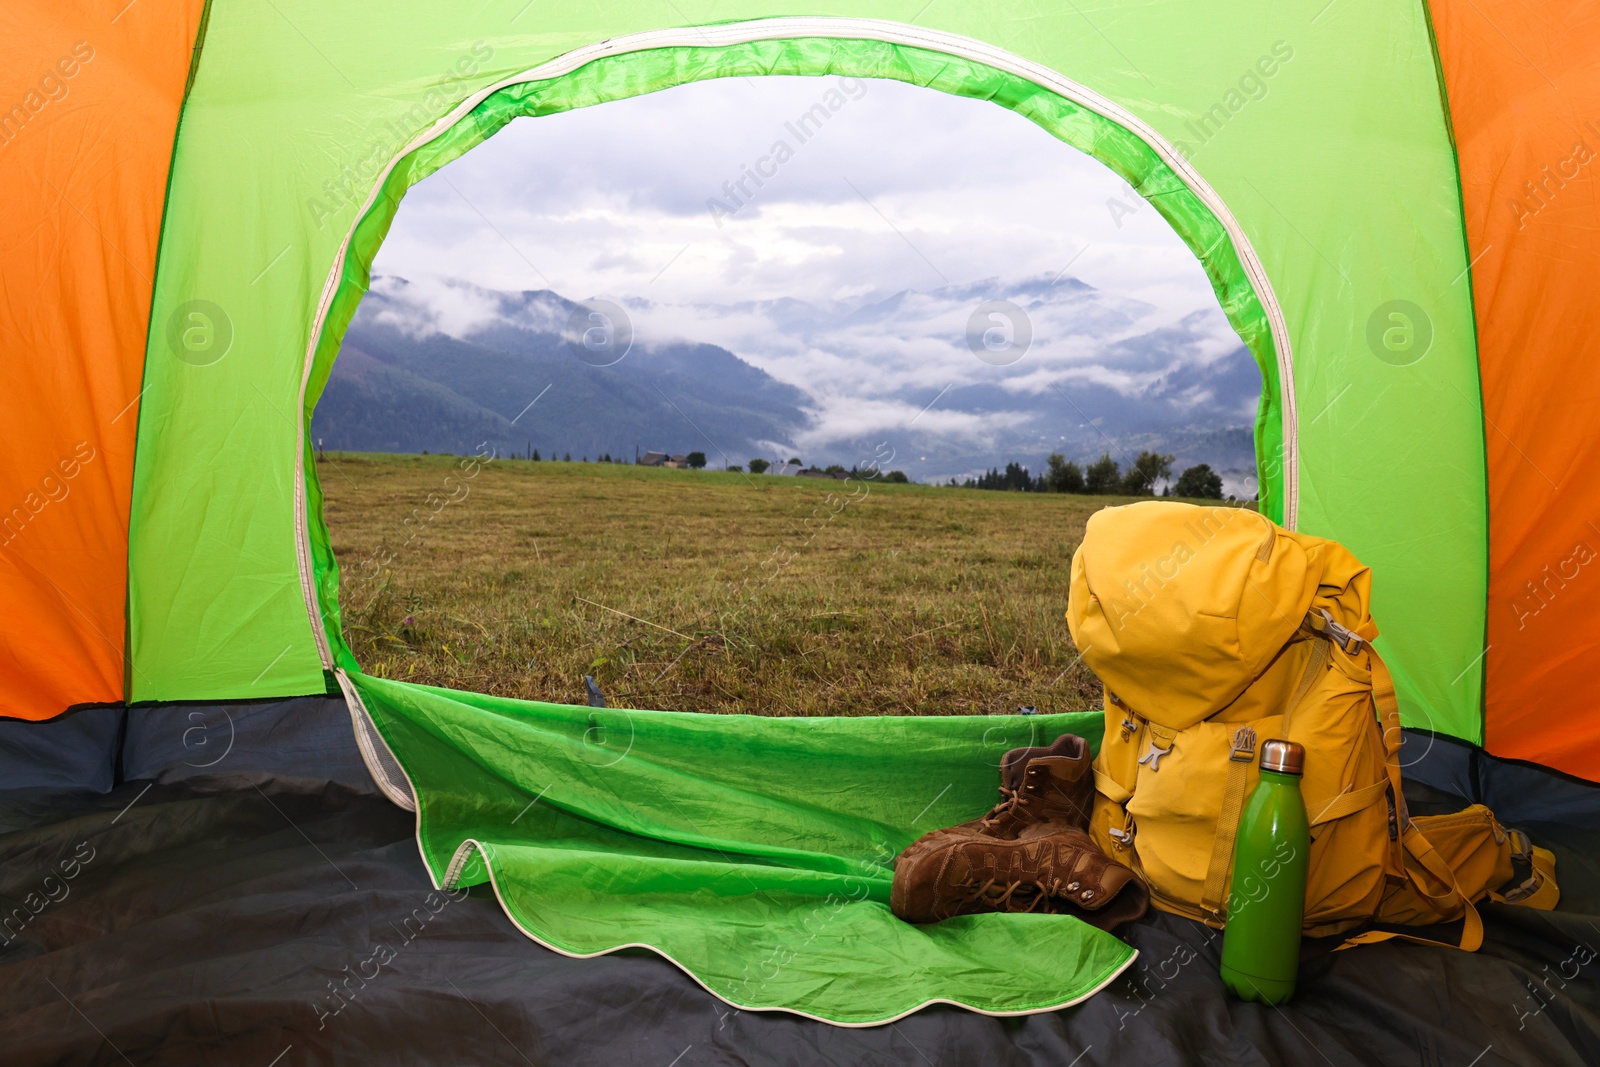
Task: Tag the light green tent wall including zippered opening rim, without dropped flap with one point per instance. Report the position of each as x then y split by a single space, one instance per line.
289 164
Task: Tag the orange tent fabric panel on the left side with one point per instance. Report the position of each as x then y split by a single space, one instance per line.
86 142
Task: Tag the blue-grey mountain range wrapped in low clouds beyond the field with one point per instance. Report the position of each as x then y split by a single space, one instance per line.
446 367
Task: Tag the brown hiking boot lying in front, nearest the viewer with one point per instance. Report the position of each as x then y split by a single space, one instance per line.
1055 871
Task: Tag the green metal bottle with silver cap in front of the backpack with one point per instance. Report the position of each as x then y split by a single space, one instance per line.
1268 897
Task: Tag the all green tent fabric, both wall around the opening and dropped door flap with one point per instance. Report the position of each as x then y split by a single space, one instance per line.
754 852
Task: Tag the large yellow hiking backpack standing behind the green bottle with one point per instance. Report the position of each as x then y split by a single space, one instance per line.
1214 629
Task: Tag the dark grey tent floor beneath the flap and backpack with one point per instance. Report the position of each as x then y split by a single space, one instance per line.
234 863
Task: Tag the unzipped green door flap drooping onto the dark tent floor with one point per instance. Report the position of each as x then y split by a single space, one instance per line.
756 853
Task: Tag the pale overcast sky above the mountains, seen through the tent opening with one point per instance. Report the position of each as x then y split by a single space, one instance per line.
900 188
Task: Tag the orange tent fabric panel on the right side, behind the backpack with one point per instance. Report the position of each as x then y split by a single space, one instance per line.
1524 84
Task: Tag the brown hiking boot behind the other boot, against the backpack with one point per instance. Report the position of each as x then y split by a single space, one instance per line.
1042 788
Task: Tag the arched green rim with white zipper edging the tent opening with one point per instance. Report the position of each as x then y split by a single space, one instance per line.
654 62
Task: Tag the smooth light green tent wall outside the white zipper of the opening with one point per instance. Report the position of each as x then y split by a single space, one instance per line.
1338 167
